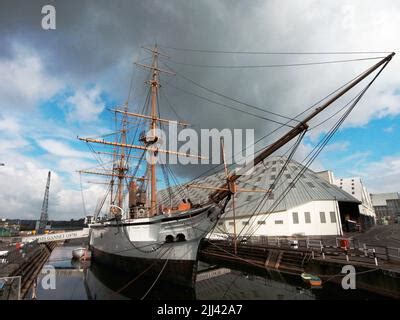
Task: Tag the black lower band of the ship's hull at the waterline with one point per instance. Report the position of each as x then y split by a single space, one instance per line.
182 272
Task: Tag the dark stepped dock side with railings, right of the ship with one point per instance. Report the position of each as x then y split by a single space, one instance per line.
377 271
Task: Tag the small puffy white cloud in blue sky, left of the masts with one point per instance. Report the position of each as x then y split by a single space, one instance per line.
85 105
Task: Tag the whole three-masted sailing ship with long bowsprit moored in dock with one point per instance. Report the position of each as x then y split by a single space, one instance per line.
142 234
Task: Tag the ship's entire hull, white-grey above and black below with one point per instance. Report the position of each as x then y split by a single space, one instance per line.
160 247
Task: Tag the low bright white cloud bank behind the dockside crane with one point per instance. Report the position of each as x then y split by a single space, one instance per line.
22 191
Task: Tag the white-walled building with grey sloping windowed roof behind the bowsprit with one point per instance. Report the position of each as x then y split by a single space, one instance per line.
312 206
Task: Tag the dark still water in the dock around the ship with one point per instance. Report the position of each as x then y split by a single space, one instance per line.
85 281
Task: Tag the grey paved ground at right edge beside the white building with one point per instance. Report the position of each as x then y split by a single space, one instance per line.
381 235
